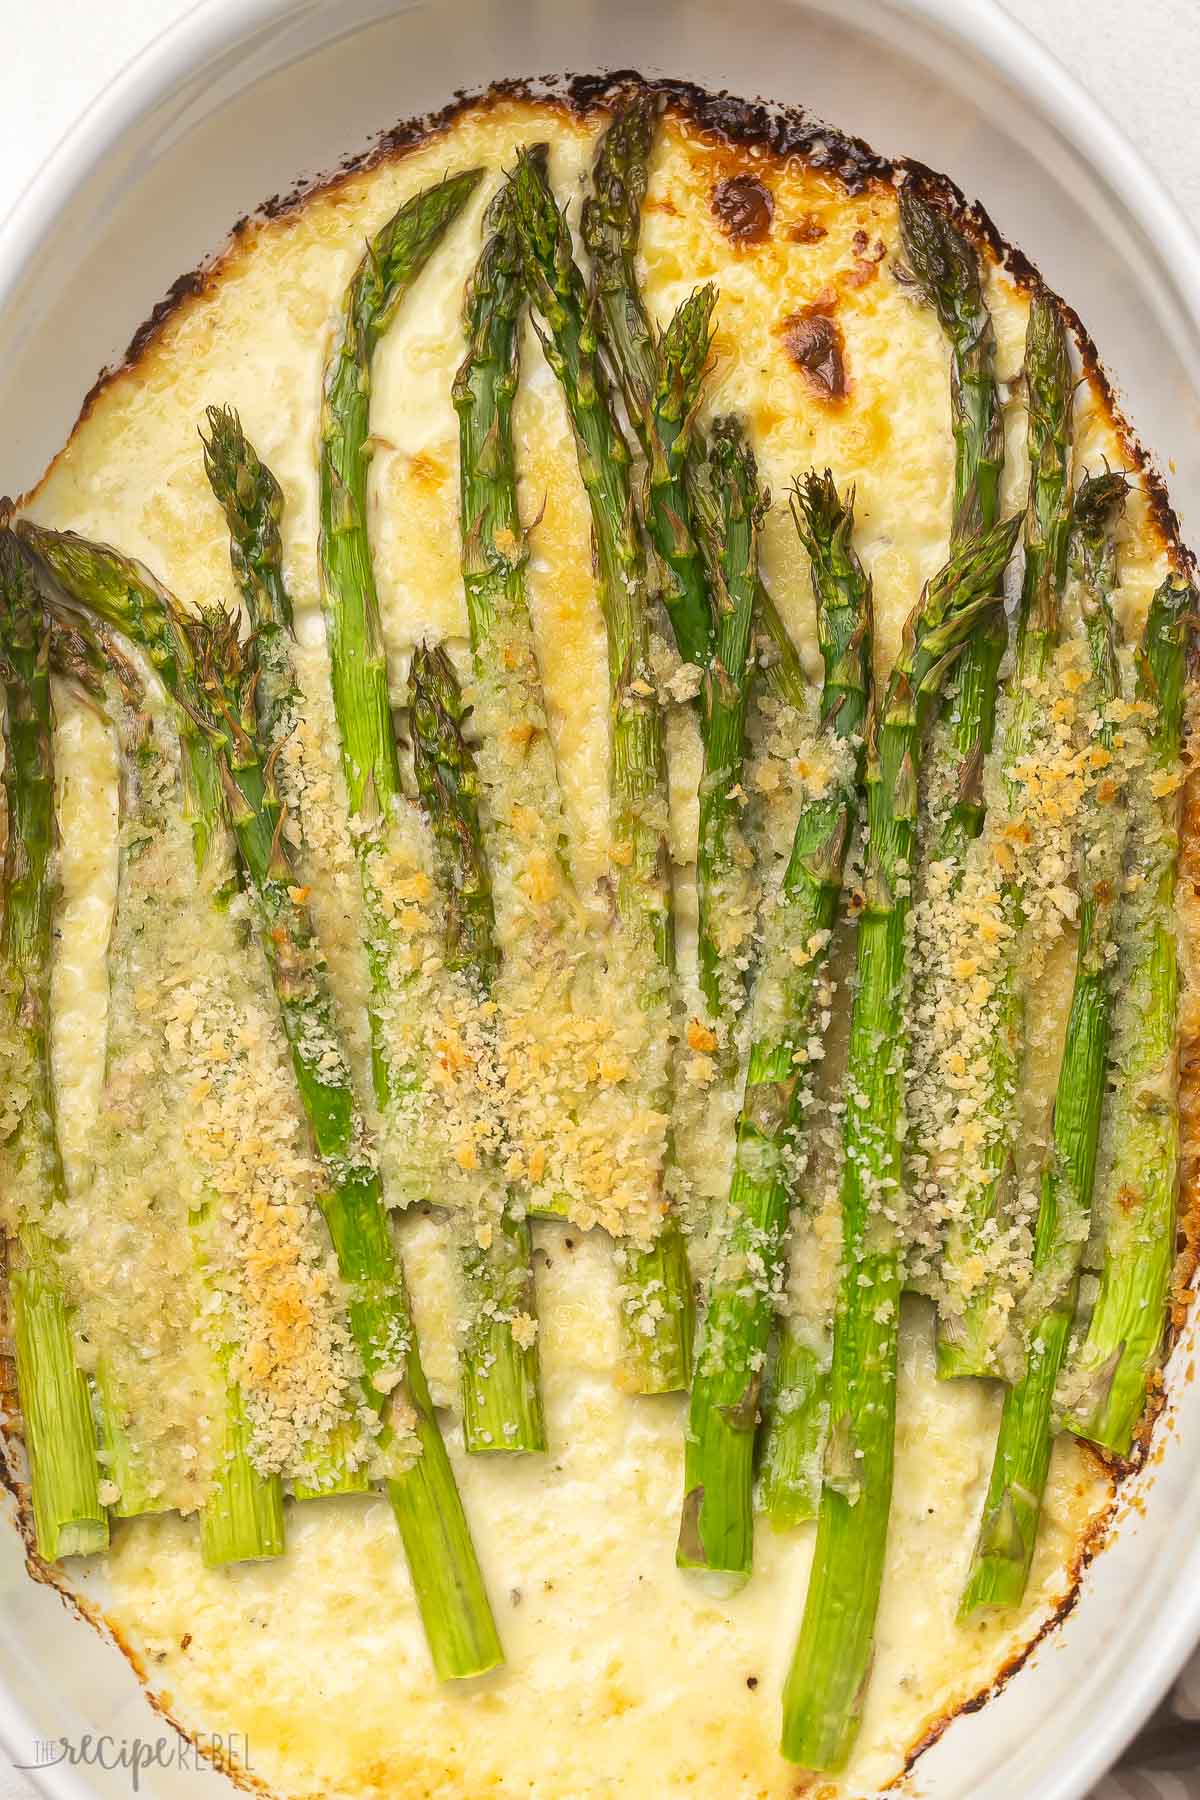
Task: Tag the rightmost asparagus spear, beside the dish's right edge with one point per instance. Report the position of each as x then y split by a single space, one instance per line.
1136 1205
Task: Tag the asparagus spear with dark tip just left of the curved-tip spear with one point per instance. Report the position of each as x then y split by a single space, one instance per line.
251 498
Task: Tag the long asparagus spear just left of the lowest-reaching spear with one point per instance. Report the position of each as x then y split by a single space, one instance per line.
719 1515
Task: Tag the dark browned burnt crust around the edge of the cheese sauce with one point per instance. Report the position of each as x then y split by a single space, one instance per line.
782 132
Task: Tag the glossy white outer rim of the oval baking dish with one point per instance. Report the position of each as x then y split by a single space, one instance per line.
186 46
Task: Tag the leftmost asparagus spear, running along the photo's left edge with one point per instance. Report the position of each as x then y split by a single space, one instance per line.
60 1432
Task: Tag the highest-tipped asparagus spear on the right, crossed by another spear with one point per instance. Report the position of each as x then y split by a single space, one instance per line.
947 271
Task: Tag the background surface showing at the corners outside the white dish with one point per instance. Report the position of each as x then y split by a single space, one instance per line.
1142 62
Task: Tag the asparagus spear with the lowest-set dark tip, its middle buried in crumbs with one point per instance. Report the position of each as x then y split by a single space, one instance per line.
501 1383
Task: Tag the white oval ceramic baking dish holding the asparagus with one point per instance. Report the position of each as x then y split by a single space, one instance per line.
246 96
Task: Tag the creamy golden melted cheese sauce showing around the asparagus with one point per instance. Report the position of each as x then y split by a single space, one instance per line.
623 1677
